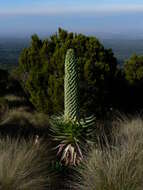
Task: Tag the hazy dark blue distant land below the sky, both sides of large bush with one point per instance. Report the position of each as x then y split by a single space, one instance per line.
10 49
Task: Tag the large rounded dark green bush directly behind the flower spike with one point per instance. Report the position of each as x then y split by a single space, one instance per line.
41 71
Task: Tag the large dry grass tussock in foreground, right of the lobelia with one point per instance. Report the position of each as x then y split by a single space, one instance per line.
118 166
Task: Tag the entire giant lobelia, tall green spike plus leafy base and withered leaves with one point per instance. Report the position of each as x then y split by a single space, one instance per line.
70 130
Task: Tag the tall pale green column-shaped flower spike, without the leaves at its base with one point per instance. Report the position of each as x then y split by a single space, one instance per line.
71 87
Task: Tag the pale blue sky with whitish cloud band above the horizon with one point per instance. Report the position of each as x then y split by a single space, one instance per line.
101 17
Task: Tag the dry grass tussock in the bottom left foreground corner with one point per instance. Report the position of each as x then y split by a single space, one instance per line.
23 166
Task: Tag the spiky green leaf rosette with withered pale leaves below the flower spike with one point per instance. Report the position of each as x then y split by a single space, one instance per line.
71 137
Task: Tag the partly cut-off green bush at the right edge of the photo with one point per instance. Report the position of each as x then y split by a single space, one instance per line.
133 71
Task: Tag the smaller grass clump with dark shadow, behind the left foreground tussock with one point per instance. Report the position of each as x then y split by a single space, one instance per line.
23 123
